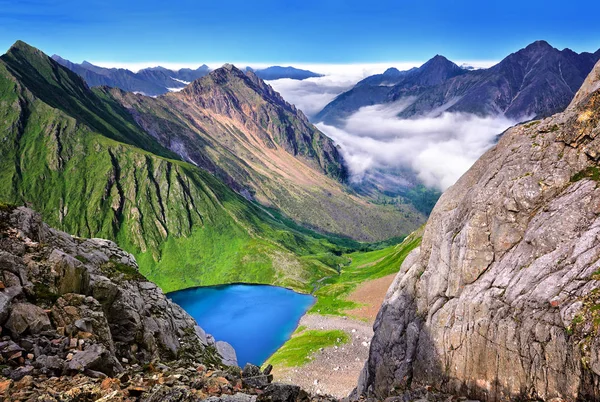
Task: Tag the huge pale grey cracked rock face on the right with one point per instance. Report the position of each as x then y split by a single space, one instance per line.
501 300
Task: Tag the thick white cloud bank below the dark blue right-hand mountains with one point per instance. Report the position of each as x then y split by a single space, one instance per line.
438 149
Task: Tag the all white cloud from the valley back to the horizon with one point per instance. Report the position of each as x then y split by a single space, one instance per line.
376 143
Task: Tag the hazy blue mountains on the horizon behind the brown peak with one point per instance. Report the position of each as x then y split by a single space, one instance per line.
156 81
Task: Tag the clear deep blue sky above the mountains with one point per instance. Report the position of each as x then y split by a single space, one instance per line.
308 31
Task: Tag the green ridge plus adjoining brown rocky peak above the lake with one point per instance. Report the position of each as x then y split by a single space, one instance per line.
105 163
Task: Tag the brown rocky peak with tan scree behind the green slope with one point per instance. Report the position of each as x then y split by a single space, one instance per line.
233 124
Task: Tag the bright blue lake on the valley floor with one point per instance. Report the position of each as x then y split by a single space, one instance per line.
255 319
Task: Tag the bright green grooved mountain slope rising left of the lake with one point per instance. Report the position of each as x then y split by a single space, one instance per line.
76 156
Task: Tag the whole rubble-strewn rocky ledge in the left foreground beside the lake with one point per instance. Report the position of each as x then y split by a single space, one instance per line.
79 323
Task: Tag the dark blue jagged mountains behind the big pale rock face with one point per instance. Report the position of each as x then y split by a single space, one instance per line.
534 82
